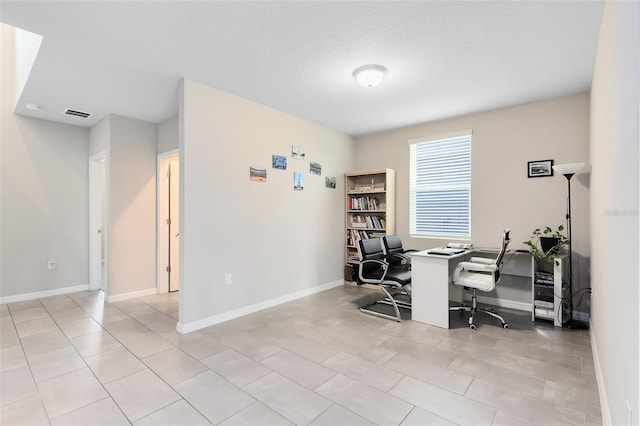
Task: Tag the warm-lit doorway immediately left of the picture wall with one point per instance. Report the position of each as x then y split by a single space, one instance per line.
168 222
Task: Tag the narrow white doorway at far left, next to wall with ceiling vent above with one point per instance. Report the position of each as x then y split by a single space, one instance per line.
97 221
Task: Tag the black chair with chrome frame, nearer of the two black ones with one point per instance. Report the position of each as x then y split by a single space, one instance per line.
394 282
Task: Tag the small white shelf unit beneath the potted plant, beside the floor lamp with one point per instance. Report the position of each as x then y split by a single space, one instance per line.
549 291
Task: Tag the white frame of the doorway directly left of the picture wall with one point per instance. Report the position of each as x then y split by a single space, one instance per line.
162 190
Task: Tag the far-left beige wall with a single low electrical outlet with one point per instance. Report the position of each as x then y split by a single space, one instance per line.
44 196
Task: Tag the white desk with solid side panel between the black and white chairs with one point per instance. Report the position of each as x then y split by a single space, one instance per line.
431 287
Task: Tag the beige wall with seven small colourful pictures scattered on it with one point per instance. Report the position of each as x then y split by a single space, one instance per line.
273 240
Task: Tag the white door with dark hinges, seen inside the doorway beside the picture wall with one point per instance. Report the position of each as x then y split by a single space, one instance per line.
174 224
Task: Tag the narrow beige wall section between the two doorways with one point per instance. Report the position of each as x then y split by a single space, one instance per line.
132 206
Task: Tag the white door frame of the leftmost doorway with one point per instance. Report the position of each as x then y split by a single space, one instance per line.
96 221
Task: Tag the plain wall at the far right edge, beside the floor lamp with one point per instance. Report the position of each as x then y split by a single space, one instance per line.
615 203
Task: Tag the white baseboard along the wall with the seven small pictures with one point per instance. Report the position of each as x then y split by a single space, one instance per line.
184 328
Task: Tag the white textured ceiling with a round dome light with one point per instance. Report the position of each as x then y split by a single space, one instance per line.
445 58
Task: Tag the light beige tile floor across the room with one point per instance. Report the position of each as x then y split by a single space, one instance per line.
72 359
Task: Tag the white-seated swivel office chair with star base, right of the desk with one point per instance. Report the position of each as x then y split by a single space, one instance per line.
480 274
